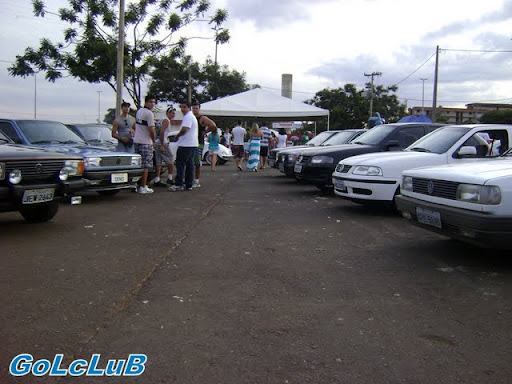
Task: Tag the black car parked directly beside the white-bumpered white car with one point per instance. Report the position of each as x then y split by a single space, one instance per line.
316 165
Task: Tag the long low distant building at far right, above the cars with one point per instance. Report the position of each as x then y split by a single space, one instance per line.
471 114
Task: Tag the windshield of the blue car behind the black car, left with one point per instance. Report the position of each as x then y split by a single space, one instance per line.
48 132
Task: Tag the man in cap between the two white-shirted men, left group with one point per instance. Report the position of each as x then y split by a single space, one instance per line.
162 151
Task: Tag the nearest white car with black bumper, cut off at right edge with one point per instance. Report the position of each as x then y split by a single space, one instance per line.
468 202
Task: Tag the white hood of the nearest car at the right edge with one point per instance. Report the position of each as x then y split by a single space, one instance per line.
479 172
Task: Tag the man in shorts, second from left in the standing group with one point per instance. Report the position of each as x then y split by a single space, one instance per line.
145 134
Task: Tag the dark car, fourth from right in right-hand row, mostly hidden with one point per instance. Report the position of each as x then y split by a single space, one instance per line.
287 158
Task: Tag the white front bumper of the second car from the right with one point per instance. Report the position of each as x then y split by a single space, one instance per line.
364 188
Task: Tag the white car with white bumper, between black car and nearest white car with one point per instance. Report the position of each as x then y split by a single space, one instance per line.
375 177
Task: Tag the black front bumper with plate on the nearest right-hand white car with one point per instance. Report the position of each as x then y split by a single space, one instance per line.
477 228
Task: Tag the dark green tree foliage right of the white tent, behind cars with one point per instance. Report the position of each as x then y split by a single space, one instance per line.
349 107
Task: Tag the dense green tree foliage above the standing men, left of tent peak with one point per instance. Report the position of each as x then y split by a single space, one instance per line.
170 80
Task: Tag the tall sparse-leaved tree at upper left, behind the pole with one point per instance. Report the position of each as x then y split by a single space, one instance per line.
89 49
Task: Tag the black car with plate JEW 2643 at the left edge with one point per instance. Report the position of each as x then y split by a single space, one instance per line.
33 180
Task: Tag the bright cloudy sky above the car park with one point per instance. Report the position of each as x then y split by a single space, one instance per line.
322 43
